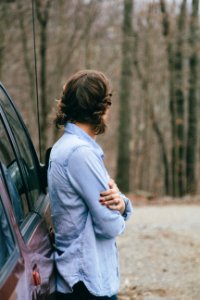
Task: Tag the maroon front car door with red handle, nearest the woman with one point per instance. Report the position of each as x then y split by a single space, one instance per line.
29 202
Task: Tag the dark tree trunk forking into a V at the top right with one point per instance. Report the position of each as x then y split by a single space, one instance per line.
176 103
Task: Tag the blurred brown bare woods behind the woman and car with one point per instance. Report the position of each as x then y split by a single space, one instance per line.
150 51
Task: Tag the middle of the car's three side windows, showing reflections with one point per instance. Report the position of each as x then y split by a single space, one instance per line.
13 177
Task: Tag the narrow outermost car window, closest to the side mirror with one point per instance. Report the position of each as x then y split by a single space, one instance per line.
27 158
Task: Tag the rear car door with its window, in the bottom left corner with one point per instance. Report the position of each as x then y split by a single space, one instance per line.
12 268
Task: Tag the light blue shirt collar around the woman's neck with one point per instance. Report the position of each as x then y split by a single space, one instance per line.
74 129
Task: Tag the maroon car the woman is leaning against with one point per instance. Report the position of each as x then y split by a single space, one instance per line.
26 245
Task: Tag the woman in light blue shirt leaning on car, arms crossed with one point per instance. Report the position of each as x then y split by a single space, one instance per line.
88 211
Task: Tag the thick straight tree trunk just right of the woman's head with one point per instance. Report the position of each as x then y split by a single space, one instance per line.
123 161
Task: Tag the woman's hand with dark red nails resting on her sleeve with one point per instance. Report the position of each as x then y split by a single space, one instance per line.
112 199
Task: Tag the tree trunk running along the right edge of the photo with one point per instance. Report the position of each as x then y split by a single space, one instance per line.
192 101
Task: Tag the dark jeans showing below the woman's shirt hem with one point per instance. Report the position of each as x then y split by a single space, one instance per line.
80 292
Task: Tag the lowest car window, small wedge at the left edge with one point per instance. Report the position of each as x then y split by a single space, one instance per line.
6 238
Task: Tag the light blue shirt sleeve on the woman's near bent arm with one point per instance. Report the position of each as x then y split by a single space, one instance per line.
88 177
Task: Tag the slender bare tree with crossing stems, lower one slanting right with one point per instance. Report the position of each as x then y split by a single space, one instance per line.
149 114
